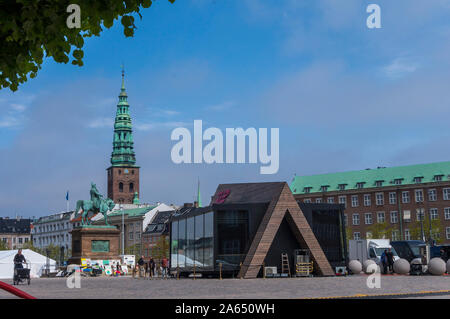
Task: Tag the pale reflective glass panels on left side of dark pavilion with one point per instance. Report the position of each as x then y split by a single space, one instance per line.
193 241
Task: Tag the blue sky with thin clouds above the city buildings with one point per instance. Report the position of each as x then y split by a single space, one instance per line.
344 97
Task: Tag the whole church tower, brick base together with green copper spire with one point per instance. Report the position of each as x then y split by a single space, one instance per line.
123 174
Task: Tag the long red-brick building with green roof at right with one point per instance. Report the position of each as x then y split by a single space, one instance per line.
411 202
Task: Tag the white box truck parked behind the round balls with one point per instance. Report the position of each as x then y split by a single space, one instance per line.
364 249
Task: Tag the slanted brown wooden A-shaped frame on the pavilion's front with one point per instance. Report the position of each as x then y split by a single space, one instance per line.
283 204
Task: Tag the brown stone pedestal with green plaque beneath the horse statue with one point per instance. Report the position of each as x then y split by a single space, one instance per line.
94 242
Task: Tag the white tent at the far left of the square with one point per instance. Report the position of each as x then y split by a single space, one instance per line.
36 261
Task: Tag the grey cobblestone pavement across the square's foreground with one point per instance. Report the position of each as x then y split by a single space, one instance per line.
127 287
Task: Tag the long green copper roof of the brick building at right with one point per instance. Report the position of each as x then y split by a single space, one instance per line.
370 177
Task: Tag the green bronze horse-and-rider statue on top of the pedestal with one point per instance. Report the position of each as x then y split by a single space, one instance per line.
97 204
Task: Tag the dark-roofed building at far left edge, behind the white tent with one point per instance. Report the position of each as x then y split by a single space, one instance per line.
15 232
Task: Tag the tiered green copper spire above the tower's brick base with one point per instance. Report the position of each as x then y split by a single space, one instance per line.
123 152
